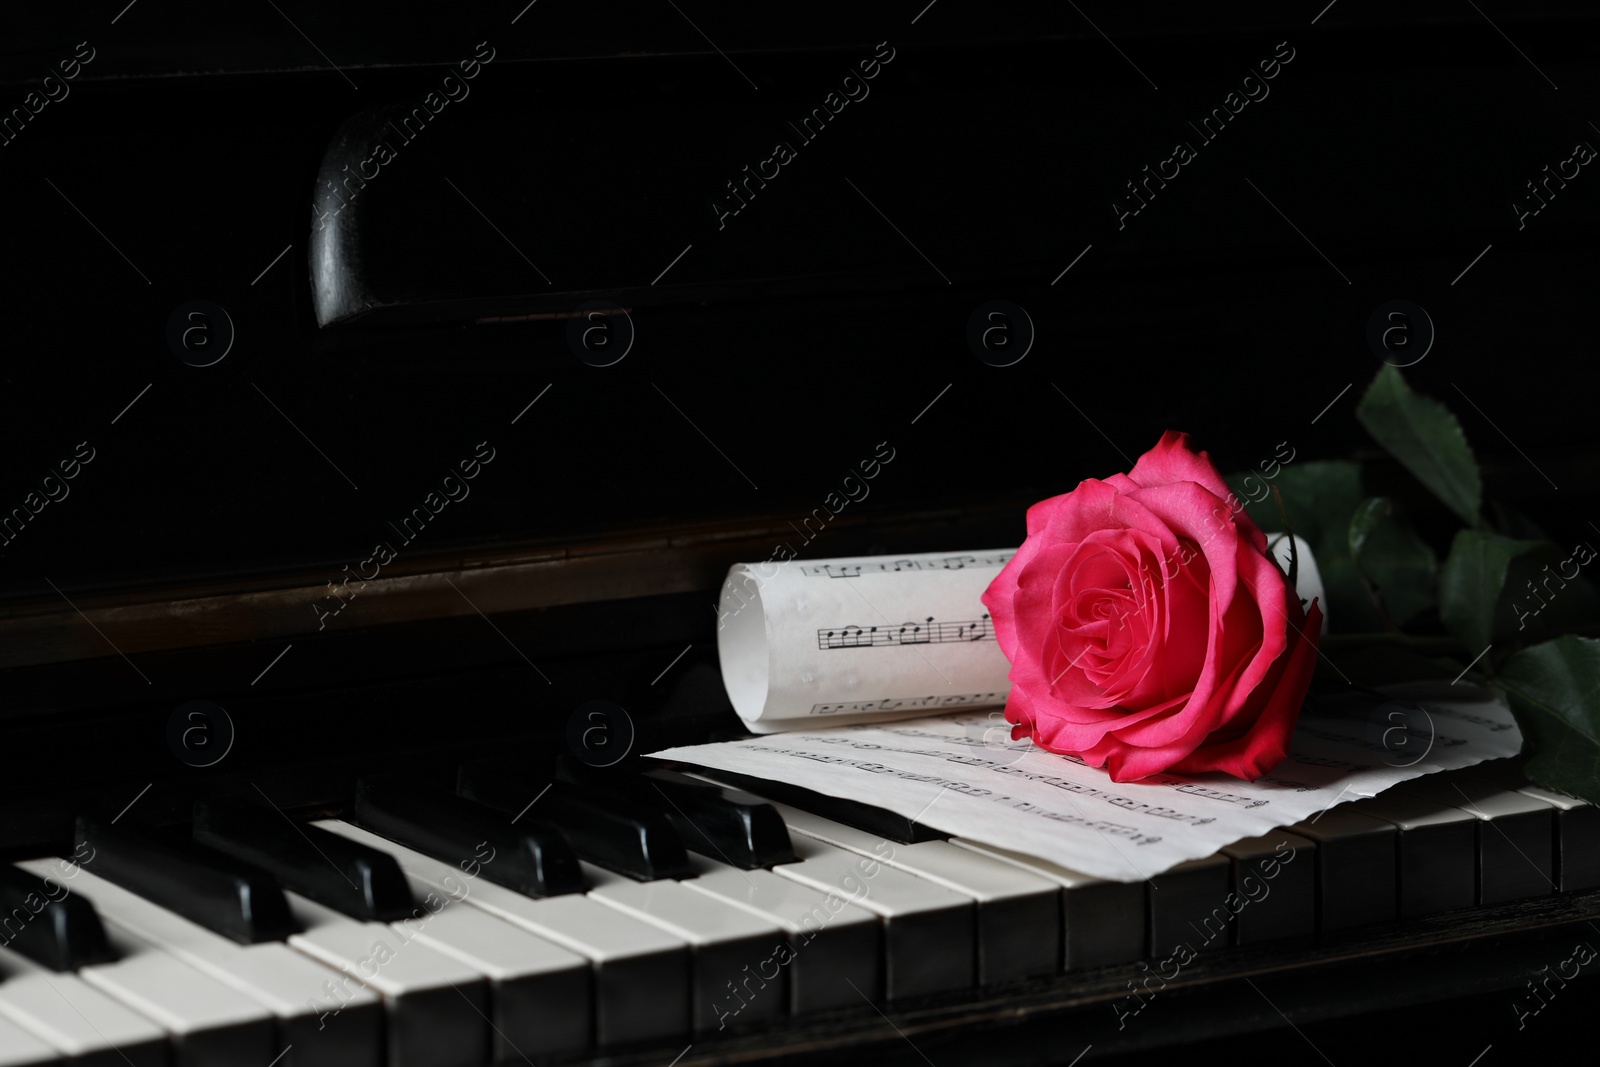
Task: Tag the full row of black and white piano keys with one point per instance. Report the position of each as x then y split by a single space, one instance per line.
385 940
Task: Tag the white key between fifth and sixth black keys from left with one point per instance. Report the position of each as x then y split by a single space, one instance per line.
834 948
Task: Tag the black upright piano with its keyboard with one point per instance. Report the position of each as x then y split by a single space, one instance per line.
402 484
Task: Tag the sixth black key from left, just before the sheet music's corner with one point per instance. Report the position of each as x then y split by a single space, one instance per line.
726 825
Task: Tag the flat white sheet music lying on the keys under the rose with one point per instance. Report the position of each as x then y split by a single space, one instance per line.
961 775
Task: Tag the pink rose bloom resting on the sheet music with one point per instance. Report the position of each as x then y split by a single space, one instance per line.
1150 631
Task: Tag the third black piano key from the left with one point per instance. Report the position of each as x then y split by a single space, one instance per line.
361 882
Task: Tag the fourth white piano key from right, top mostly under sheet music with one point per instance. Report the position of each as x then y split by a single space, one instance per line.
1356 868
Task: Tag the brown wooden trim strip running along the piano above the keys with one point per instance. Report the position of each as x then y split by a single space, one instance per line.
538 575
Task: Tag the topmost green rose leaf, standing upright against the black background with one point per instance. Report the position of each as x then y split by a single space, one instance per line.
1426 439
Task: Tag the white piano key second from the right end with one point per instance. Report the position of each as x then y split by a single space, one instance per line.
1516 836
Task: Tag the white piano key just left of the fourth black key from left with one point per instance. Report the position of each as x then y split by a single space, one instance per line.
639 972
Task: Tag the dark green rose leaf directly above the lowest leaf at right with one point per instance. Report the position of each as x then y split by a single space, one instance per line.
1500 589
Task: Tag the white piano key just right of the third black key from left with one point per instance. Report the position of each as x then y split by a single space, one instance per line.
538 991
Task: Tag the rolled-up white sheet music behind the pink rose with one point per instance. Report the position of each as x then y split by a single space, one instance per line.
809 644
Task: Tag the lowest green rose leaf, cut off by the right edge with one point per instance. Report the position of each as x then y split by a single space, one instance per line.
1554 690
